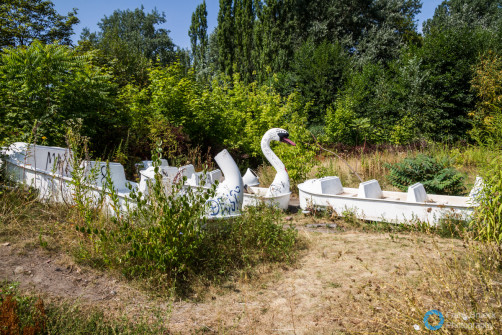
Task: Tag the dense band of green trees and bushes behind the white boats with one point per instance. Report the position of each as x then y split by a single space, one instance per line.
374 80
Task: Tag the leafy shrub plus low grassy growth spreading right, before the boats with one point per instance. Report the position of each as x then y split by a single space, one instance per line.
166 239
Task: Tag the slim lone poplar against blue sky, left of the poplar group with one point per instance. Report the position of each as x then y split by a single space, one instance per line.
198 36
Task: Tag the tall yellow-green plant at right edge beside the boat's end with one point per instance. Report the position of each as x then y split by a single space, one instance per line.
487 223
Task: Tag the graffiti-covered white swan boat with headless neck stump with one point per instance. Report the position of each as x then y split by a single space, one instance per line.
50 171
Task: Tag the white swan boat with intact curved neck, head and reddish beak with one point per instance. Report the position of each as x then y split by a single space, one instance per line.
278 193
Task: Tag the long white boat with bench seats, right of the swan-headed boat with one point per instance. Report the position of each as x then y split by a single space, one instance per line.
369 202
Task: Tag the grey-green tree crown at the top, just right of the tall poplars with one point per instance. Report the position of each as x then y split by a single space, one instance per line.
372 30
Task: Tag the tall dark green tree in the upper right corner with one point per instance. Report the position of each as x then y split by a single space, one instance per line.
452 43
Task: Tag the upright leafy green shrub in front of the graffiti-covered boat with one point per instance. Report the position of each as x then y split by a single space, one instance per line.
161 232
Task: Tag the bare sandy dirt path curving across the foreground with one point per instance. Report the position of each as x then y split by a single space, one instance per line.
318 295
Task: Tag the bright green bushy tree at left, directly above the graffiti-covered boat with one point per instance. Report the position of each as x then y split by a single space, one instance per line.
52 83
